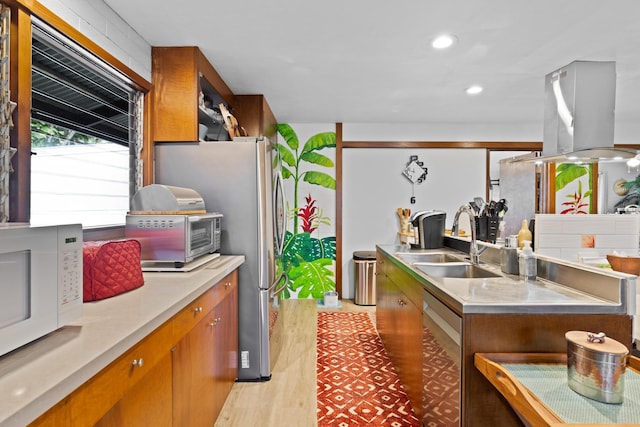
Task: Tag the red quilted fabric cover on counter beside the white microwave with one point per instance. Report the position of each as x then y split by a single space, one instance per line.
110 268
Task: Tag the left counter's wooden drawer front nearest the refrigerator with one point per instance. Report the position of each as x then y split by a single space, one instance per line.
189 317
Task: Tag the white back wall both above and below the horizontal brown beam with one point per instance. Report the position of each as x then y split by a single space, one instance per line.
373 186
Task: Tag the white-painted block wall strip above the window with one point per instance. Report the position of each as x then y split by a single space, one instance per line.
103 26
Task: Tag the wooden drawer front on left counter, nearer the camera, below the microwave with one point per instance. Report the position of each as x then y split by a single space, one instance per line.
95 397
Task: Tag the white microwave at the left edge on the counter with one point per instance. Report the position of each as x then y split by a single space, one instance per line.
40 281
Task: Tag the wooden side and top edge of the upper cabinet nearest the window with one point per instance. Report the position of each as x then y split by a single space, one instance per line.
178 76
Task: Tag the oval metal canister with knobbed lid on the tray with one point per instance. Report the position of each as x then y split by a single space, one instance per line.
596 366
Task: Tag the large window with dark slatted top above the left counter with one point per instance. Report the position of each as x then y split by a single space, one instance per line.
84 137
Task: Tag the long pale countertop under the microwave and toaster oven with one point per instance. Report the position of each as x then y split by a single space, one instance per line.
38 375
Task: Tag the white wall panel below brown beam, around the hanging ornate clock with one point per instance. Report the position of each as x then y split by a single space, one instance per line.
373 187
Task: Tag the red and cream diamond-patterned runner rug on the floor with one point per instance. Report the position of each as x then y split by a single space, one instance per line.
357 384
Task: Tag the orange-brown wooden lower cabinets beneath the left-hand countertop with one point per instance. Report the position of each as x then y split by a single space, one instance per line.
179 375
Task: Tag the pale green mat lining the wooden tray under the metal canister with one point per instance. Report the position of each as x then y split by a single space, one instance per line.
549 384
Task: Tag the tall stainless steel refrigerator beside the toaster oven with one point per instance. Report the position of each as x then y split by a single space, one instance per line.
238 179
